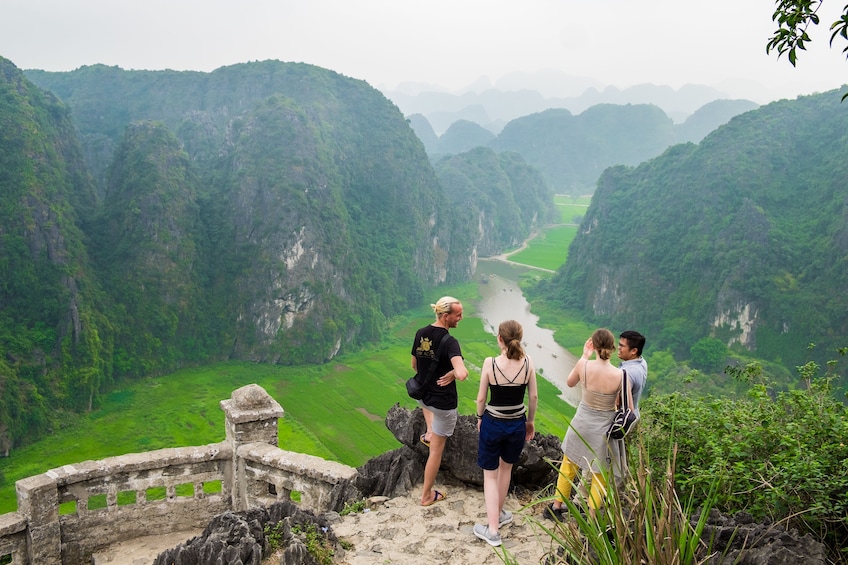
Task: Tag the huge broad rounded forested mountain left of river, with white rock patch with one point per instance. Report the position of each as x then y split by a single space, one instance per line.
316 202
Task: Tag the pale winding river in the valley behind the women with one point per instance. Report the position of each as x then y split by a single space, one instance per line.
502 299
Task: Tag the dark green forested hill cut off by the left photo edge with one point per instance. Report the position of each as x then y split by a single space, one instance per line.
49 297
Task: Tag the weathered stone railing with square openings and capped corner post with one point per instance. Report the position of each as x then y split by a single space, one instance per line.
67 514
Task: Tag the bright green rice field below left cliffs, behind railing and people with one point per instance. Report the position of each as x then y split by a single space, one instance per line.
334 411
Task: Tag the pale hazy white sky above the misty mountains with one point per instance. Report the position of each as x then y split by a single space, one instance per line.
450 43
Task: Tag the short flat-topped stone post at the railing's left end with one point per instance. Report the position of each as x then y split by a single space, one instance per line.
38 501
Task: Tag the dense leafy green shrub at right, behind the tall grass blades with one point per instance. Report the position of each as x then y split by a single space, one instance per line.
777 456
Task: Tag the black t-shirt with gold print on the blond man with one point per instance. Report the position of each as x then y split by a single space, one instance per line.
423 348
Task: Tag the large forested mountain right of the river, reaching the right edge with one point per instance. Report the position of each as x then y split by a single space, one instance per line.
743 238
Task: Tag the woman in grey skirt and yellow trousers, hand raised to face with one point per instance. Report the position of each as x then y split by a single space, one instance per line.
586 446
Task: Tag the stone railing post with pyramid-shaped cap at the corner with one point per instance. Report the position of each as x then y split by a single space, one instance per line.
251 416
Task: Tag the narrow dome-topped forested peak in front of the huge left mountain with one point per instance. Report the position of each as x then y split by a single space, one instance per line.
147 241
